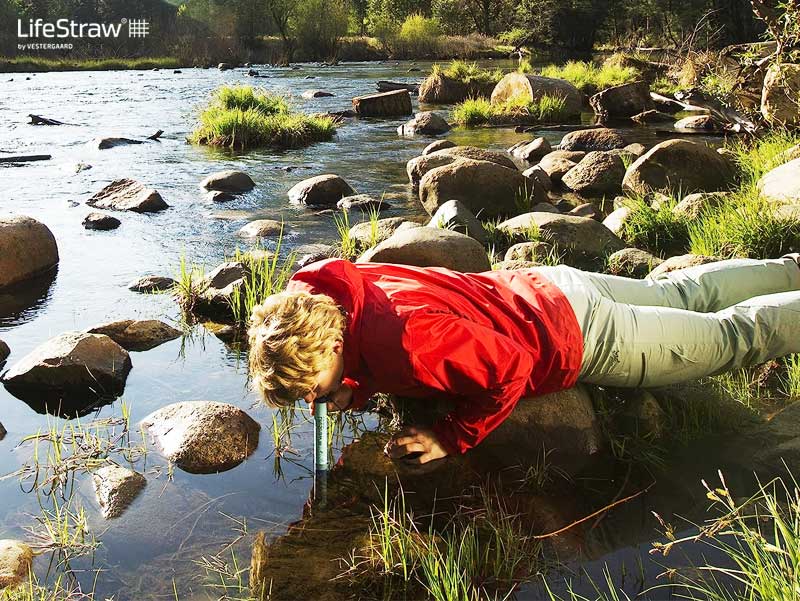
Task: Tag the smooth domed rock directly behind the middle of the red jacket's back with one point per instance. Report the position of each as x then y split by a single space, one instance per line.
430 247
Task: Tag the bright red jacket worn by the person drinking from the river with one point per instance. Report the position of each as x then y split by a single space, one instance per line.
485 339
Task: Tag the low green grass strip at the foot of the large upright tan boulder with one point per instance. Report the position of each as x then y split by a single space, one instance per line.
479 111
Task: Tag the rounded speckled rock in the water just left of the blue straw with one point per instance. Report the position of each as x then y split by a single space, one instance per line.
203 437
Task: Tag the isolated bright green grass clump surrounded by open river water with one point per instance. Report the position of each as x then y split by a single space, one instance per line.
241 118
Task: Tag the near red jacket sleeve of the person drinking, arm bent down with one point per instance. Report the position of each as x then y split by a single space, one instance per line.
484 371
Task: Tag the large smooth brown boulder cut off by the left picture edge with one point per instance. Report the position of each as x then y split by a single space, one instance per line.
27 249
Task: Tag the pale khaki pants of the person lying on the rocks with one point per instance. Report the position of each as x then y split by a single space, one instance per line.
688 324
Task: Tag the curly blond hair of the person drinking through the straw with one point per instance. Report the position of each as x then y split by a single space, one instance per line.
292 335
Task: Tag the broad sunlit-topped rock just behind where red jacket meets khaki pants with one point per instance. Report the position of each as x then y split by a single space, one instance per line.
583 241
